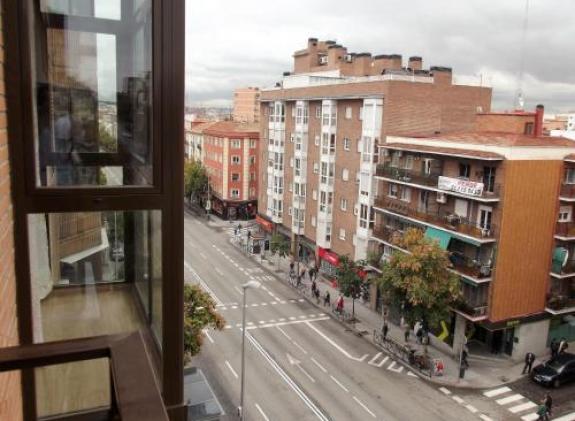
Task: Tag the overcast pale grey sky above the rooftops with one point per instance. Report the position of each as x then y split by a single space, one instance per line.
250 42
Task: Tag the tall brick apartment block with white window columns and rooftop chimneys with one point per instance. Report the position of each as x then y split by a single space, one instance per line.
320 129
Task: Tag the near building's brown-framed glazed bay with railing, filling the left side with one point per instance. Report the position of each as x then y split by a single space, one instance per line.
80 331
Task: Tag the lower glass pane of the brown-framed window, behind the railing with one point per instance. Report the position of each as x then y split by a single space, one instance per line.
93 273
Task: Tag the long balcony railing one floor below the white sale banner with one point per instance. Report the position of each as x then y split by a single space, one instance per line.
440 218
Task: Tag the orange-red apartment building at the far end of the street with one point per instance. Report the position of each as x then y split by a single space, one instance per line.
230 156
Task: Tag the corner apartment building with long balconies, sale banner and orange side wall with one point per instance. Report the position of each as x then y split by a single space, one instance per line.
499 200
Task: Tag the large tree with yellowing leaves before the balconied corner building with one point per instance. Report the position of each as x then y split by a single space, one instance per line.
419 281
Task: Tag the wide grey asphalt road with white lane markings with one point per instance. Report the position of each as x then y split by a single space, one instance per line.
301 364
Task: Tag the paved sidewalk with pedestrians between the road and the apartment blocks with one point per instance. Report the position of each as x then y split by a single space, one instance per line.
482 373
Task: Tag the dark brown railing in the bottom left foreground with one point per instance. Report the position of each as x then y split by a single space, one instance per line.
135 396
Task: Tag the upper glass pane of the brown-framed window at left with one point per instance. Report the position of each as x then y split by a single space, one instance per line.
93 68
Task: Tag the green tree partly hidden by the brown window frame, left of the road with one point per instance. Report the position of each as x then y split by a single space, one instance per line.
199 314
